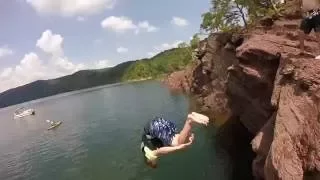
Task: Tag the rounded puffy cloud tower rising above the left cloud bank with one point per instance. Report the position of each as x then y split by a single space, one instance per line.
50 43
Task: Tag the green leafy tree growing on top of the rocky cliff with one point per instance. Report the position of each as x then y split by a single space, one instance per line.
227 15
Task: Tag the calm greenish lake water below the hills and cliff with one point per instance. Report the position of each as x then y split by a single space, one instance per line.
99 138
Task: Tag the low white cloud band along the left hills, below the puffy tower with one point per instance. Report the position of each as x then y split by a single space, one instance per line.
32 68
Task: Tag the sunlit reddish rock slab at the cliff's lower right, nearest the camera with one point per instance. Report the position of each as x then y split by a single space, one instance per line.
295 150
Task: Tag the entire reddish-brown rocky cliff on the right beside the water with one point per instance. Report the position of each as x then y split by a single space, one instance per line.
261 81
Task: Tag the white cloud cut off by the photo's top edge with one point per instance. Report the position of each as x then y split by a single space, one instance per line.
71 7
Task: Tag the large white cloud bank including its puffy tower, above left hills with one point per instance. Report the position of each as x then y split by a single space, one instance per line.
32 68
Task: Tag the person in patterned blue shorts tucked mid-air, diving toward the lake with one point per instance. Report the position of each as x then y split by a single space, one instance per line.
160 137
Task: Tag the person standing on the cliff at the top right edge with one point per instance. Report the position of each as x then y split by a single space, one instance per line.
310 21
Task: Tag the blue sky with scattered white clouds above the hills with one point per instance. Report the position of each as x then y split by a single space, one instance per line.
45 39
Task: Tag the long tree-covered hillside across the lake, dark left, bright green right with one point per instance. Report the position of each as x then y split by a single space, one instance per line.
164 62
